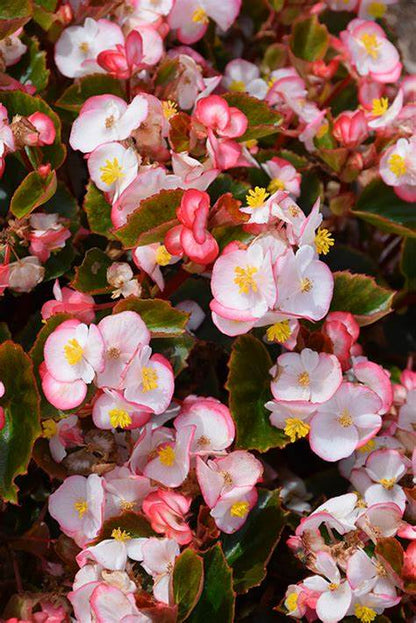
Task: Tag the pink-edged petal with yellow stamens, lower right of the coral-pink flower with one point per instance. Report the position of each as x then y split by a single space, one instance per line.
232 509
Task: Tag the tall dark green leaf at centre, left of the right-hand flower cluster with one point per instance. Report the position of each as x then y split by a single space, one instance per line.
249 386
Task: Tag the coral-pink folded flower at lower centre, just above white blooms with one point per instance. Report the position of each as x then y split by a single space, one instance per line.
166 511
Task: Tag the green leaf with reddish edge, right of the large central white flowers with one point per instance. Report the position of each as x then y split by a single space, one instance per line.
360 295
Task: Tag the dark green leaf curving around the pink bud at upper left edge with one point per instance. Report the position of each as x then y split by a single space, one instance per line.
20 103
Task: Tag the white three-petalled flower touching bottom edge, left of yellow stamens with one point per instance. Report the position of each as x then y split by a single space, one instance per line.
335 593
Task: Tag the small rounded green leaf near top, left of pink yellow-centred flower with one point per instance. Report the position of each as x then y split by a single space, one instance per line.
309 40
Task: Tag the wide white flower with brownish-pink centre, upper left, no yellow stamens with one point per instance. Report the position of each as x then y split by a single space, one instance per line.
104 119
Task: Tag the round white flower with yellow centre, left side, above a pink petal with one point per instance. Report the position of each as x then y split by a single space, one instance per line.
74 352
